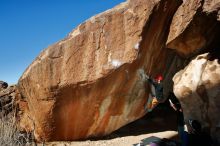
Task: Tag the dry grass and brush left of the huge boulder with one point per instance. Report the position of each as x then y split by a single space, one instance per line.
9 133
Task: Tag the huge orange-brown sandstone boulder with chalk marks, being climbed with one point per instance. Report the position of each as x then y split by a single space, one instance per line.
90 83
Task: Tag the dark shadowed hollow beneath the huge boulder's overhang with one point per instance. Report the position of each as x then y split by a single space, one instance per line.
162 118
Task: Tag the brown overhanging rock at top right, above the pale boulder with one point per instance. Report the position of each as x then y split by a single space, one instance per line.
194 26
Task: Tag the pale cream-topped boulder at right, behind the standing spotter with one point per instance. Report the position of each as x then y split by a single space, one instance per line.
198 88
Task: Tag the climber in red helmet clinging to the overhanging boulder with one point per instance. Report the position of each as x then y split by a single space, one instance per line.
156 95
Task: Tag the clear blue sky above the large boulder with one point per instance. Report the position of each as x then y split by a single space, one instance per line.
29 26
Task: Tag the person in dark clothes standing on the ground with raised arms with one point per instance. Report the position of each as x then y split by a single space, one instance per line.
175 104
